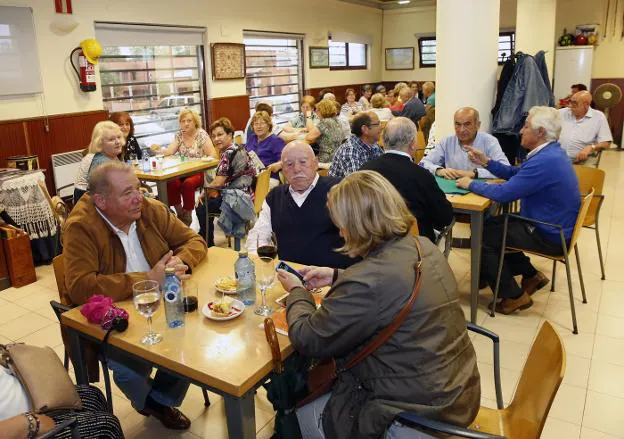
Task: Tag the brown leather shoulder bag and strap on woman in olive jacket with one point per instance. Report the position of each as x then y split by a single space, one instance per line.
322 376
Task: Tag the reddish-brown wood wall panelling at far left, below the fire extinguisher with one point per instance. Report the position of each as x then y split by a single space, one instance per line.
59 133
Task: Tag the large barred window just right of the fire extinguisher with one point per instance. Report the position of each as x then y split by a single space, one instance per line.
151 80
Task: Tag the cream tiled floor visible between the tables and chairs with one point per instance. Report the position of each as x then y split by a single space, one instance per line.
590 402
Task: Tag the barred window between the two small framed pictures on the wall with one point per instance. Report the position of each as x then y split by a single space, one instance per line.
273 69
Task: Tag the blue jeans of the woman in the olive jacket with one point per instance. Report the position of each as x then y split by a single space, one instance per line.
310 422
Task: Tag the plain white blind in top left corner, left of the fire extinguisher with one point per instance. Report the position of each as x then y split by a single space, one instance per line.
19 59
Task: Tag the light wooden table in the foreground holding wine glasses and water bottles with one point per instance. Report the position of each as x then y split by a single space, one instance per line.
231 358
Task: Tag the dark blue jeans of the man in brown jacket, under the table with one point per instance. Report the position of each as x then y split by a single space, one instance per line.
133 379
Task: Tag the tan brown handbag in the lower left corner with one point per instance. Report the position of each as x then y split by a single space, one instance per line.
42 375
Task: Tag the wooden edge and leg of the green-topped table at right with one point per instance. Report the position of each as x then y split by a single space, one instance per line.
475 206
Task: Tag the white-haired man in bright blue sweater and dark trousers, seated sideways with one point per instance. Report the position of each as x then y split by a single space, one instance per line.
548 189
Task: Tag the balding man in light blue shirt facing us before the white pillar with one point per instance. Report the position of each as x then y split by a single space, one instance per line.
449 158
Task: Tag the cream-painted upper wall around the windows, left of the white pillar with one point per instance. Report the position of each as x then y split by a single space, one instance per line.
224 21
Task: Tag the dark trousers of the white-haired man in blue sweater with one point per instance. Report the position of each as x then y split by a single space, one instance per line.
520 234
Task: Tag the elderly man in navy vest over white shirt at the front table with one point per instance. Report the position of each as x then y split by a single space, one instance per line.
297 214
